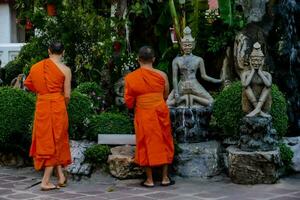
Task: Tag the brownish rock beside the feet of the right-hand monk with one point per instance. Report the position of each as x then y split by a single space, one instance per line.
121 163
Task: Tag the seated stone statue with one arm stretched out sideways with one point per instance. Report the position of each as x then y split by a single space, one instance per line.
188 92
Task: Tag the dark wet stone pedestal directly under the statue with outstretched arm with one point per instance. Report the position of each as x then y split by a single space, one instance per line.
190 125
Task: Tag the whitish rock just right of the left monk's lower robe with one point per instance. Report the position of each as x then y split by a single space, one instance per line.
78 167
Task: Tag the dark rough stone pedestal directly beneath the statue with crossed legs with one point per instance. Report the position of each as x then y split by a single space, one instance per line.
257 134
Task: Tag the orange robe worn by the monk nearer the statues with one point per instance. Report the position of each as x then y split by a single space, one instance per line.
154 142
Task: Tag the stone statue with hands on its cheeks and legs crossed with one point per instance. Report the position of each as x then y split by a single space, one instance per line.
256 97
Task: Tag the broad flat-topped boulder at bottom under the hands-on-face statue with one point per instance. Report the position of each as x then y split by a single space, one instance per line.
253 167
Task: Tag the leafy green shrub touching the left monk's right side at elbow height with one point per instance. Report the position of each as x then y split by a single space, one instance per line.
79 110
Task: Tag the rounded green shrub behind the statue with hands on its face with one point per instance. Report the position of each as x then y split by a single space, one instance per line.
228 110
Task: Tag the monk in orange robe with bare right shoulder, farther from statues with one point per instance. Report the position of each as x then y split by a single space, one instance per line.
50 79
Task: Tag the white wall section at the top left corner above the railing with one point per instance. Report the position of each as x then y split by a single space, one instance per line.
5 23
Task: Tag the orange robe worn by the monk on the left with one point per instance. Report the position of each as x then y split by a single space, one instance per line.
50 141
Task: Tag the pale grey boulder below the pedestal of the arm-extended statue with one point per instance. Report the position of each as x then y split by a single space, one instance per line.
199 159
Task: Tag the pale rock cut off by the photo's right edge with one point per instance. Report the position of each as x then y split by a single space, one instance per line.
294 144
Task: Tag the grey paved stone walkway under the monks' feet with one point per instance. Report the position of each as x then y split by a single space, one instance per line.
15 184
